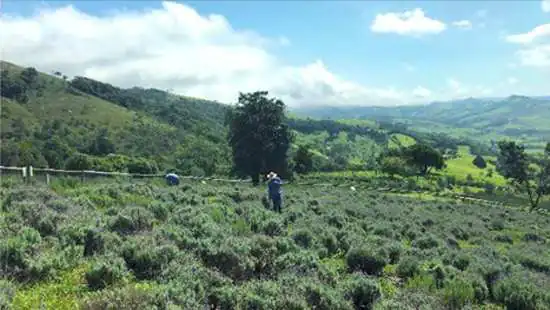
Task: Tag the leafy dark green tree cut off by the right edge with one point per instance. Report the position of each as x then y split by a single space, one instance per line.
531 174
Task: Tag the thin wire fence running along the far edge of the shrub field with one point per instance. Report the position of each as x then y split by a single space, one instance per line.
47 175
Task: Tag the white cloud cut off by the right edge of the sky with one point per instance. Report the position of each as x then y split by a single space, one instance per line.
536 46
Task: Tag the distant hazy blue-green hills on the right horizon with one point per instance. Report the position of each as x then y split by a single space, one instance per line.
519 117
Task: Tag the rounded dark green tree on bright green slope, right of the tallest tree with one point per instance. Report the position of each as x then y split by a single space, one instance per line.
424 158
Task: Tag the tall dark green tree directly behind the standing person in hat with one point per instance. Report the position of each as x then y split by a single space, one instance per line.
258 136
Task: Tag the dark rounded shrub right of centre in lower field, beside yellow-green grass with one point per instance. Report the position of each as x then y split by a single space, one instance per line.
365 260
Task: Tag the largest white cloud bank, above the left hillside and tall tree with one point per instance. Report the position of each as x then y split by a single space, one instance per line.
174 47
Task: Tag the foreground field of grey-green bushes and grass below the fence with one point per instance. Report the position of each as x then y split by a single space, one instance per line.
153 246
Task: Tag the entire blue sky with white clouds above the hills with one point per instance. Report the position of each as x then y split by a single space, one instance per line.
306 53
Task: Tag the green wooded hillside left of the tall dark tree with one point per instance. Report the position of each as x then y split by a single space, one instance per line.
47 119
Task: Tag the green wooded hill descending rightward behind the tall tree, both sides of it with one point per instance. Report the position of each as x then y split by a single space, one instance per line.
48 120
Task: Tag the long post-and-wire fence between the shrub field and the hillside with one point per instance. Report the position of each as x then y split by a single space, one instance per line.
29 172
